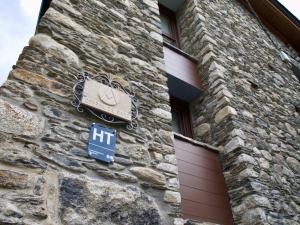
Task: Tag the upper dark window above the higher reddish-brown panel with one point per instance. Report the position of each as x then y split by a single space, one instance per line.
169 26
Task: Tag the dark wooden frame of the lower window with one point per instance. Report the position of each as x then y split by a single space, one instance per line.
184 115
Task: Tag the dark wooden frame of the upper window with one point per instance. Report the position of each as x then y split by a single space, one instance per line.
171 16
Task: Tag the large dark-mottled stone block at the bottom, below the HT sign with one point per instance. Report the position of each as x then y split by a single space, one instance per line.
85 201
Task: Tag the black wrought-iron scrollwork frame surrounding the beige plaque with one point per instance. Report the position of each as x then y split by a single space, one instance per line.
107 118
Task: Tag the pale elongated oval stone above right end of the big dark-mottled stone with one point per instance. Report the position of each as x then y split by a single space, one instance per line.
149 175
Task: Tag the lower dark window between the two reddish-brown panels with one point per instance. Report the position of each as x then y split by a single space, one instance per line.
181 119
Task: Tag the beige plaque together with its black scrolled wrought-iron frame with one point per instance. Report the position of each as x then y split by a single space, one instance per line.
106 99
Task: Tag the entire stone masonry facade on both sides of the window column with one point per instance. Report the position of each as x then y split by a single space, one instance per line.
248 110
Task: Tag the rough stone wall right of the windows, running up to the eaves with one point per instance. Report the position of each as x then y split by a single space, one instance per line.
250 107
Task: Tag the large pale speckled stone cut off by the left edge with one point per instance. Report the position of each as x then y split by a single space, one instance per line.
18 121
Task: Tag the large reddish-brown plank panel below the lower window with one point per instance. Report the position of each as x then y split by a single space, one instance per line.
202 185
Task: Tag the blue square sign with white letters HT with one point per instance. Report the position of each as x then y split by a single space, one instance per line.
102 143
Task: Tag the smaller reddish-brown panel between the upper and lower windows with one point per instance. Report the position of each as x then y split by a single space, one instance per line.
181 67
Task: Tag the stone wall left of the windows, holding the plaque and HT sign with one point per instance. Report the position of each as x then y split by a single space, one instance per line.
46 176
